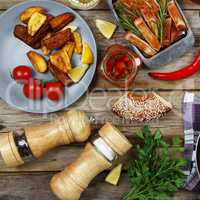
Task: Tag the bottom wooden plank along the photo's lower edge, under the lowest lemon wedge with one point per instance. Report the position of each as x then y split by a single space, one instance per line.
25 187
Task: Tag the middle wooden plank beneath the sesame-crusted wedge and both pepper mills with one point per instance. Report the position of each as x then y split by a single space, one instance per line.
98 105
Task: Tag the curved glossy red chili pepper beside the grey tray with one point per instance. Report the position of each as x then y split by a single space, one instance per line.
180 74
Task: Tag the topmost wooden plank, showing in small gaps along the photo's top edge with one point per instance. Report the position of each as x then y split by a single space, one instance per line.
4 4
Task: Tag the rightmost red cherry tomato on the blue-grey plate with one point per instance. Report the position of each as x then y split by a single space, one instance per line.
54 91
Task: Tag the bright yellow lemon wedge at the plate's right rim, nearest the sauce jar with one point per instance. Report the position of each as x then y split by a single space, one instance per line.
87 55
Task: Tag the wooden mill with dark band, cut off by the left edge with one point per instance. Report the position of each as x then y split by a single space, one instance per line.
18 147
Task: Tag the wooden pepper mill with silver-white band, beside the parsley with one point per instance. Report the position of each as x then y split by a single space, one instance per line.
97 156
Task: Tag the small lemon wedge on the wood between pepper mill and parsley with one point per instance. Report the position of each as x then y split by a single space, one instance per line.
114 175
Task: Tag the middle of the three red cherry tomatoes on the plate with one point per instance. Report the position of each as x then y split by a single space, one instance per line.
33 89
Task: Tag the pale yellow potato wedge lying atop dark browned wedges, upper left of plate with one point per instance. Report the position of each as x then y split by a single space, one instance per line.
35 23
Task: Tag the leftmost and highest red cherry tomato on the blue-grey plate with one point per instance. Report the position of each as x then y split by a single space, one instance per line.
22 74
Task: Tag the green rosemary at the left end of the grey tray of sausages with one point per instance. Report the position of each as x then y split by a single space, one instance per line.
126 17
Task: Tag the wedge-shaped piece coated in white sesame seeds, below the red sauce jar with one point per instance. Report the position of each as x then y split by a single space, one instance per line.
141 108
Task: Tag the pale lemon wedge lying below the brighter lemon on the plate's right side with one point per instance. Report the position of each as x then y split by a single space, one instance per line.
77 73
